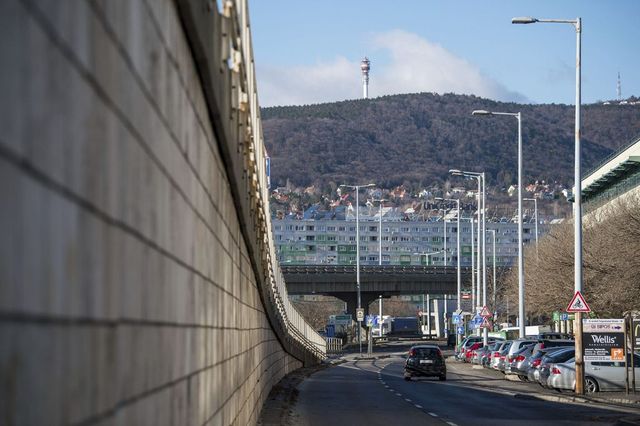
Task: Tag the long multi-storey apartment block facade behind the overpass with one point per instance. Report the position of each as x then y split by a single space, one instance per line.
317 241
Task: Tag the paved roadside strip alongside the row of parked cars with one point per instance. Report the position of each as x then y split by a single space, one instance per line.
496 381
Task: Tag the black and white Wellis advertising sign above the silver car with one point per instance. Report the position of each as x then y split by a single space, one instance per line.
603 339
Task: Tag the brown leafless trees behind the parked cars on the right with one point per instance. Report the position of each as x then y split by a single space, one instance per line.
611 264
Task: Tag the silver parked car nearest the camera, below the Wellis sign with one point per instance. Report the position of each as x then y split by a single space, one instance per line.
598 375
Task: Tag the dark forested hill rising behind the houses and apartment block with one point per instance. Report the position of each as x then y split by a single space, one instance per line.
415 139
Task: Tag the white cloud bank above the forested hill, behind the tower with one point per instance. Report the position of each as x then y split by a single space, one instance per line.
415 65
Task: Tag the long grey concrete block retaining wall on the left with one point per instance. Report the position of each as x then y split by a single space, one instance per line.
128 294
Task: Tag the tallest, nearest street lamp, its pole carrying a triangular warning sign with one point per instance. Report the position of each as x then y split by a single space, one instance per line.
577 193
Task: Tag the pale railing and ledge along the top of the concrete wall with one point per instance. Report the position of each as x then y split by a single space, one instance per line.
223 49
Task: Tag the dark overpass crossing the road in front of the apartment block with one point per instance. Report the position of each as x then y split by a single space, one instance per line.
385 280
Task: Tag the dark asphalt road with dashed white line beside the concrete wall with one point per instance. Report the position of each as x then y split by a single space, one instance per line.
373 392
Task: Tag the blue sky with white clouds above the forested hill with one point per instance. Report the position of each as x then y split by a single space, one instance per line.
309 51
